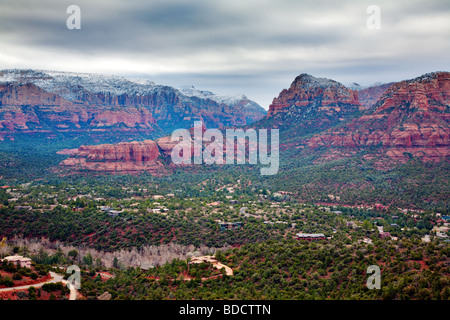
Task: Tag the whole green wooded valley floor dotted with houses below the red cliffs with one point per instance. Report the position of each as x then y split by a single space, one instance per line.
185 209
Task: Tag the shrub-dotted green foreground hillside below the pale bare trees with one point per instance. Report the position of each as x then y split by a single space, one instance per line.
290 269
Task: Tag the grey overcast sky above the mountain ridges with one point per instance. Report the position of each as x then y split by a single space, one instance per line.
255 47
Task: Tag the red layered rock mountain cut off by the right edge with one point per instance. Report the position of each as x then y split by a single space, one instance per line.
412 117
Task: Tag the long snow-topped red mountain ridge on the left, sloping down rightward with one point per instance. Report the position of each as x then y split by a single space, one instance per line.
97 108
